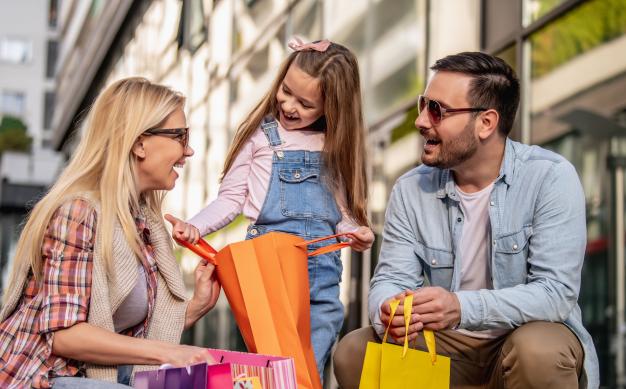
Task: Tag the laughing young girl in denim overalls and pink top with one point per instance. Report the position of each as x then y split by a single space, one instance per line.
297 165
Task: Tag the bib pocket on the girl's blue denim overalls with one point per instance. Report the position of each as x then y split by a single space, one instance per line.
303 194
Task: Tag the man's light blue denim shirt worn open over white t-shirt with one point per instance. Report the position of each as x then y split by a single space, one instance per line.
538 232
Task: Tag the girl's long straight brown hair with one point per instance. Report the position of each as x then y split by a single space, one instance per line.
344 147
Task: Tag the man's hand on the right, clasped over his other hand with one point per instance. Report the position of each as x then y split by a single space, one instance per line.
436 307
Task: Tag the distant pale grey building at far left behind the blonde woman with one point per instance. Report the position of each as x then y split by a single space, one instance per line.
28 164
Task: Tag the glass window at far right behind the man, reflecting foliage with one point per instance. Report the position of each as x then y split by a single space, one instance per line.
577 83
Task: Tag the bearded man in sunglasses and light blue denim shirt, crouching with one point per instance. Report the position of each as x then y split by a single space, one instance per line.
497 229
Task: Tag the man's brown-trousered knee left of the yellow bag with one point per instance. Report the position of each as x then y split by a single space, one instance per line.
349 354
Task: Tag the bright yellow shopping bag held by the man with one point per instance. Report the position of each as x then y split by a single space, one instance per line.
389 366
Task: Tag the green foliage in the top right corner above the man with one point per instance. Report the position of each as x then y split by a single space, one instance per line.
587 26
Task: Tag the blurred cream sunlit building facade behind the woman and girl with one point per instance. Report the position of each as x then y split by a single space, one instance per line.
226 75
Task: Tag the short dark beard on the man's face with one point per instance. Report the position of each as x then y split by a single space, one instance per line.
455 151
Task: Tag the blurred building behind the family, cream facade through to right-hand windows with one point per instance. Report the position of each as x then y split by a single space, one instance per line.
563 60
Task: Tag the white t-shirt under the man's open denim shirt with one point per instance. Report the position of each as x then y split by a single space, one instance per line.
475 249
